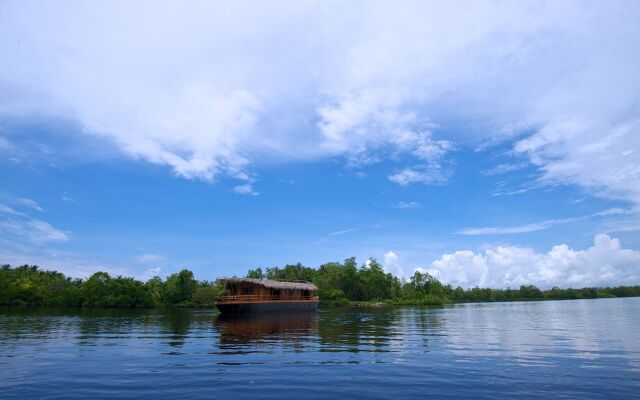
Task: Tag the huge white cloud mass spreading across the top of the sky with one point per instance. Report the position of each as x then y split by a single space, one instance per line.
208 90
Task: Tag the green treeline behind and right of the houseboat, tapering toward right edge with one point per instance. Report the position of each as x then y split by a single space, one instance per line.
341 283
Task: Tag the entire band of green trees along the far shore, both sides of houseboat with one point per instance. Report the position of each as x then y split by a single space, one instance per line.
338 283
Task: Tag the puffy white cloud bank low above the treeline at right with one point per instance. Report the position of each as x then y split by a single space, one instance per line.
606 263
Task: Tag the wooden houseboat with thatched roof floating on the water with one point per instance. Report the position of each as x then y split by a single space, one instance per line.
248 295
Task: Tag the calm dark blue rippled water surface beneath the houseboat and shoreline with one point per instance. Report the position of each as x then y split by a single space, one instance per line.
584 349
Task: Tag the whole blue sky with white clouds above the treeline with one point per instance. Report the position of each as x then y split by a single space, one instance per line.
493 144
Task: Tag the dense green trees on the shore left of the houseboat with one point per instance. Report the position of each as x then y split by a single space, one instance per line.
29 285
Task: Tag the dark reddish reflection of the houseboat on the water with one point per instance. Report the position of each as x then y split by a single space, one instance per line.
273 327
